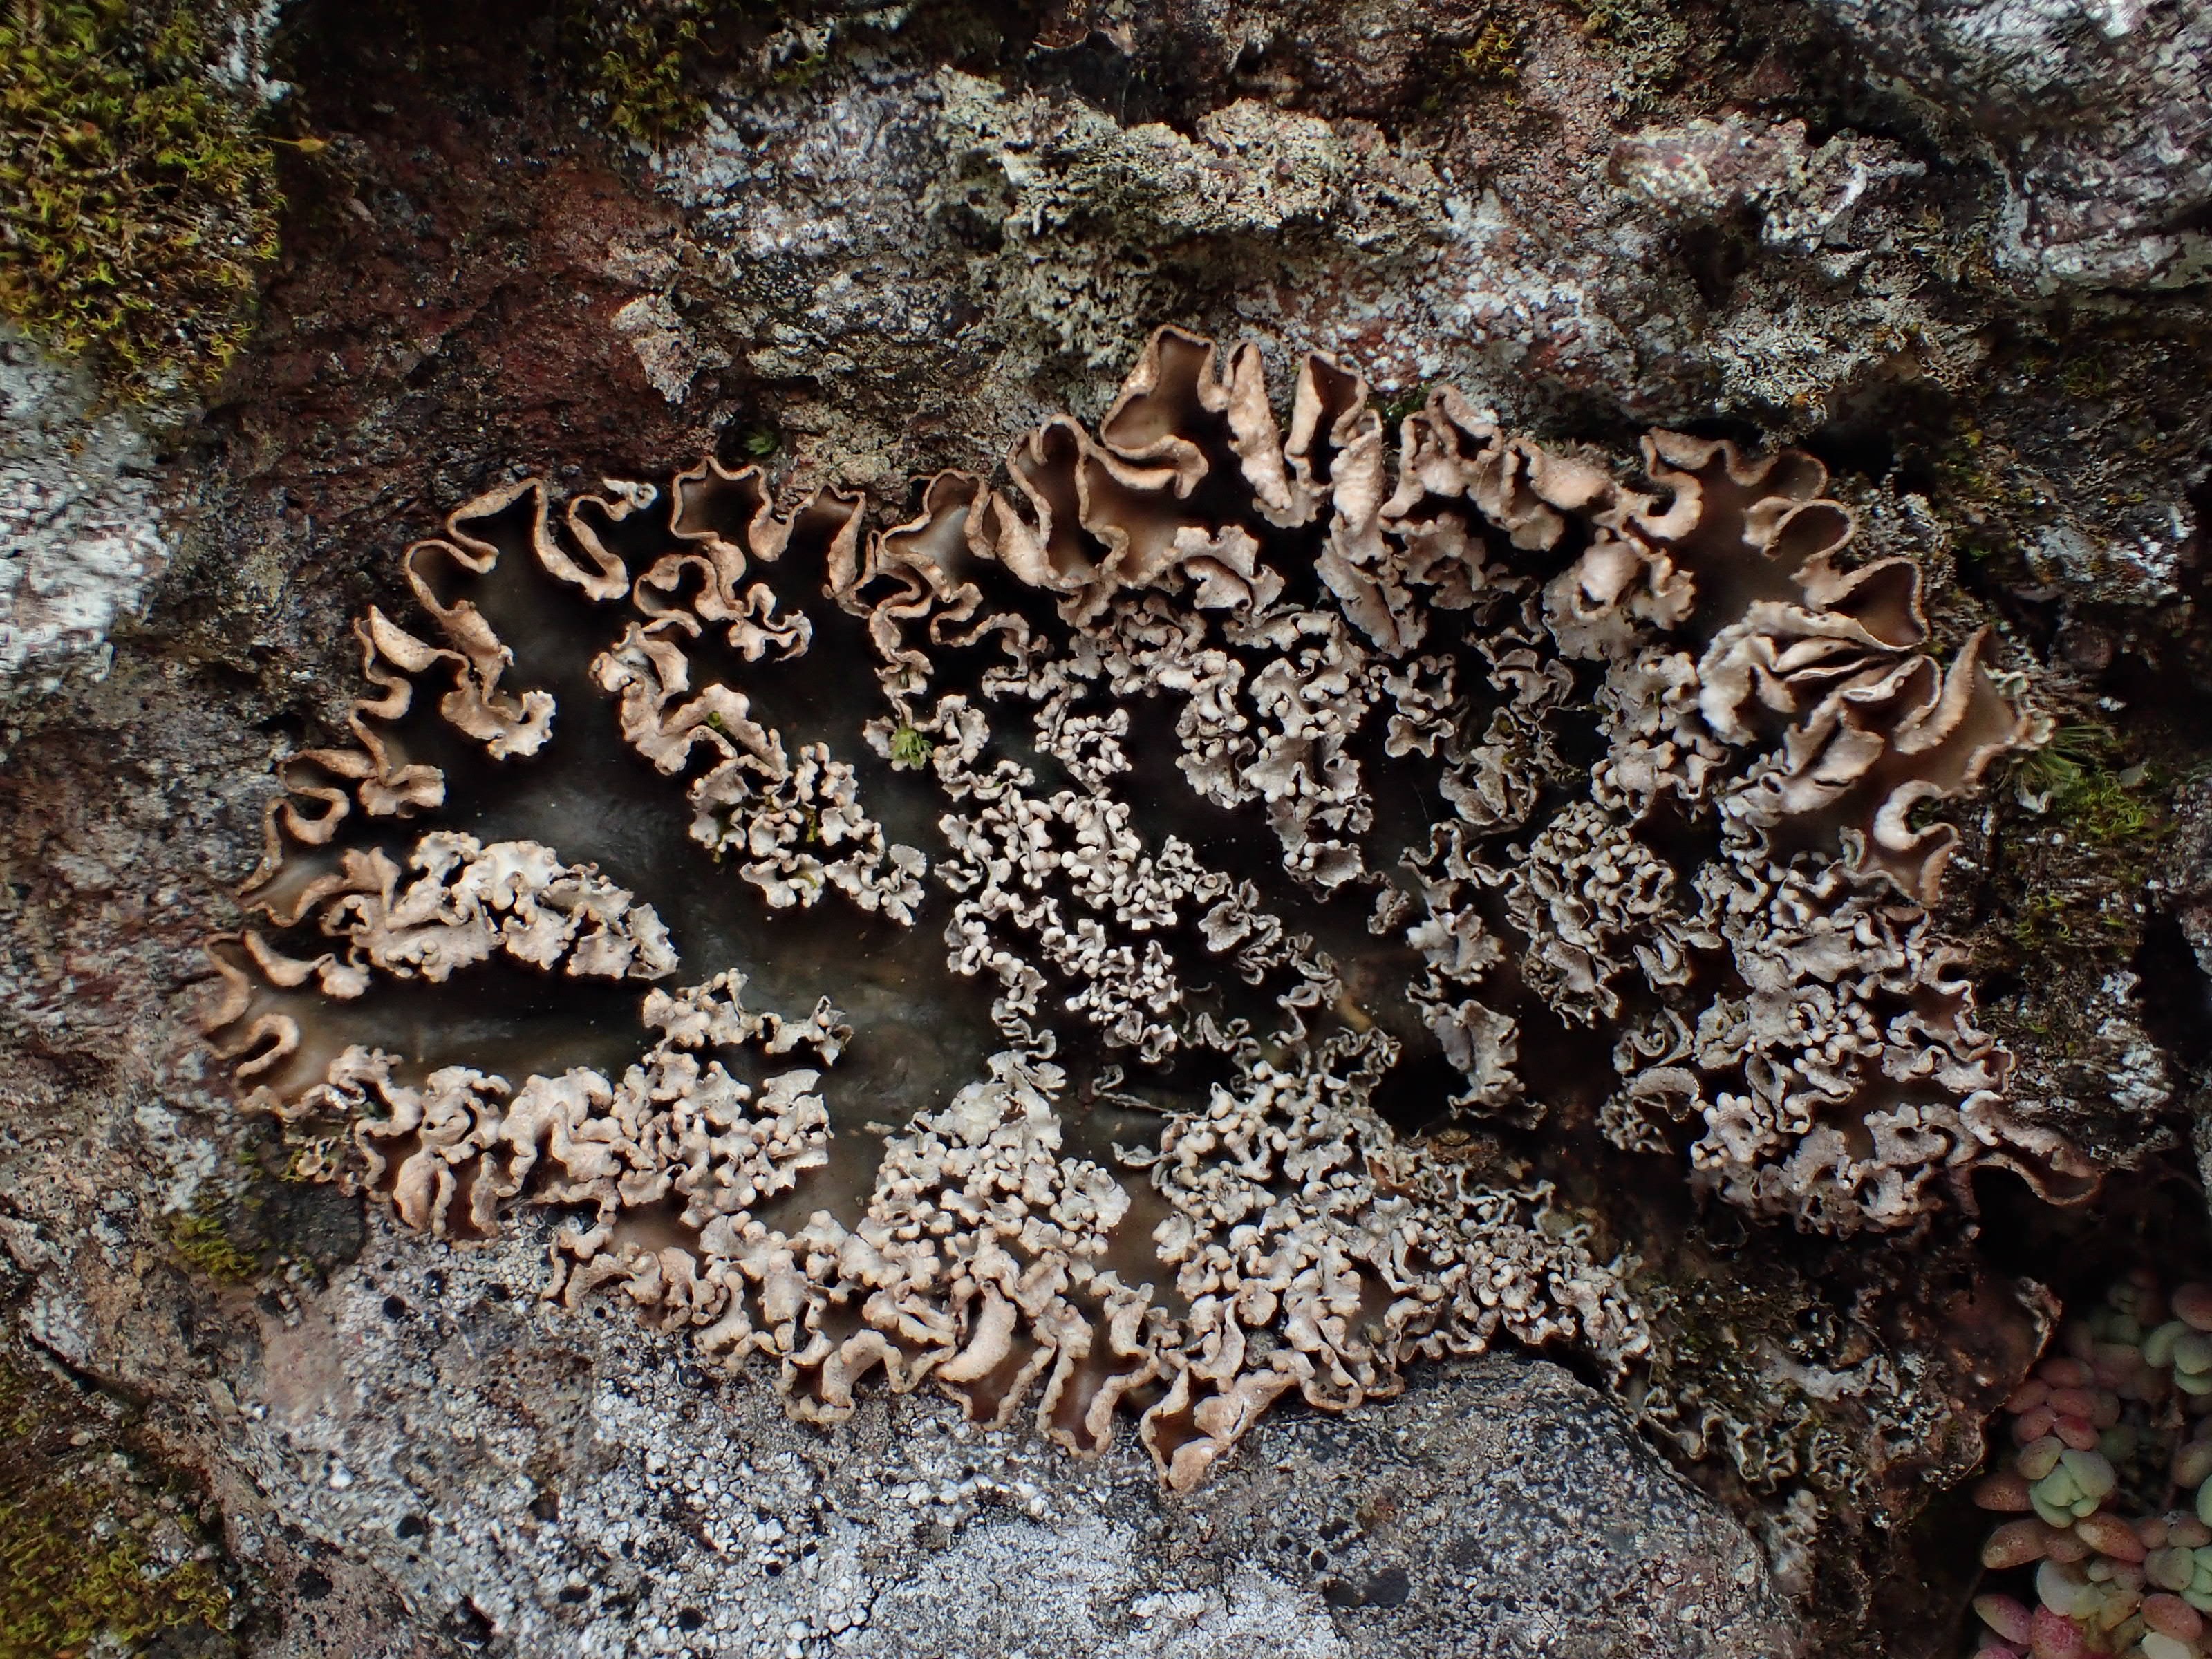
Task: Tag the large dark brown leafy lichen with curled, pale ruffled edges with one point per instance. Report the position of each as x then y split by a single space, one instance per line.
1269 795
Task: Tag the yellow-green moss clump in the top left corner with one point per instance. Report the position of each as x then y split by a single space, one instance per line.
136 198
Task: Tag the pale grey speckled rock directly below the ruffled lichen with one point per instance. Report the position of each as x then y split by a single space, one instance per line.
605 1499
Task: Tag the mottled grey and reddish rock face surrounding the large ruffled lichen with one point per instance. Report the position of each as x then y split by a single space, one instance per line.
1952 249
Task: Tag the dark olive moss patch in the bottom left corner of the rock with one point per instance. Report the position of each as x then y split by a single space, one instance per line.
85 1565
